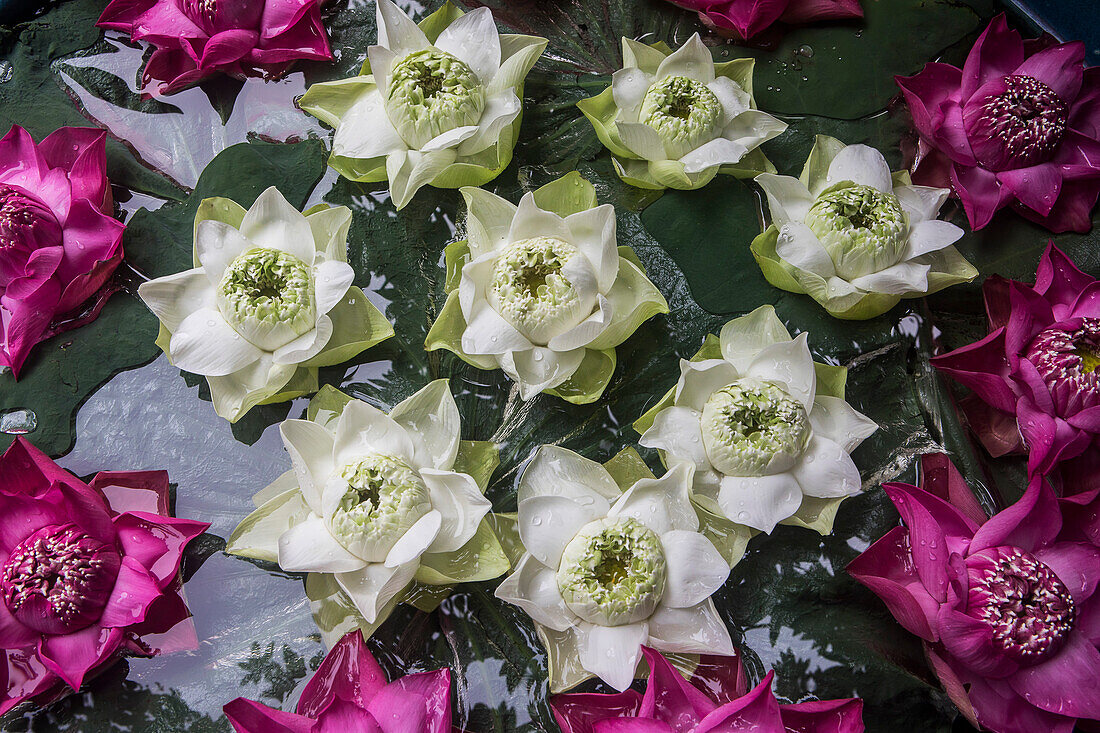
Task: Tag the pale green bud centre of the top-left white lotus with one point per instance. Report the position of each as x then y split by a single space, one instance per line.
432 93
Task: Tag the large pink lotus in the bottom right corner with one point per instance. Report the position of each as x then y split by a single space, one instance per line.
1008 611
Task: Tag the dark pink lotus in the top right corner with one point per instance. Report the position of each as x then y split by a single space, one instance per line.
1019 124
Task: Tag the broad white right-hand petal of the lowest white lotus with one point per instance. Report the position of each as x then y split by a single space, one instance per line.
696 570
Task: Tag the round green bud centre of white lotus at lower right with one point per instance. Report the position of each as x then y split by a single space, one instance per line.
753 429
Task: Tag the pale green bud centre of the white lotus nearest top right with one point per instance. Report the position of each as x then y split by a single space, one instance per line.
685 113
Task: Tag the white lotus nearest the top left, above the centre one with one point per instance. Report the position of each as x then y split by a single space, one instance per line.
438 105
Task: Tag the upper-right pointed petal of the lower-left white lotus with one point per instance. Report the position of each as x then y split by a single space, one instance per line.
432 420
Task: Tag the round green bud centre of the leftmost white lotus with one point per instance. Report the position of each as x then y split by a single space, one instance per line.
268 297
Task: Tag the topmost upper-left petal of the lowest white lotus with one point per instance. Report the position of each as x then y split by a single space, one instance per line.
557 472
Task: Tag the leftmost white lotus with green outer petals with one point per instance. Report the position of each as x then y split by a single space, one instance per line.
269 302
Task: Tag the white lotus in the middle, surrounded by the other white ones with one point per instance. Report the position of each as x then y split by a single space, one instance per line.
542 292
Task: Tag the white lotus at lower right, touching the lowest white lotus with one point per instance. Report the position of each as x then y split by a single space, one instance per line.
763 439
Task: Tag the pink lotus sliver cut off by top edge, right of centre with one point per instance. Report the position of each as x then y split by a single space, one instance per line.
743 19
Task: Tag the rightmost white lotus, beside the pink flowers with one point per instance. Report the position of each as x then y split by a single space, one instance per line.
854 237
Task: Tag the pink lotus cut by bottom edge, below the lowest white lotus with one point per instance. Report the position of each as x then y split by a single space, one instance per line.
719 702
